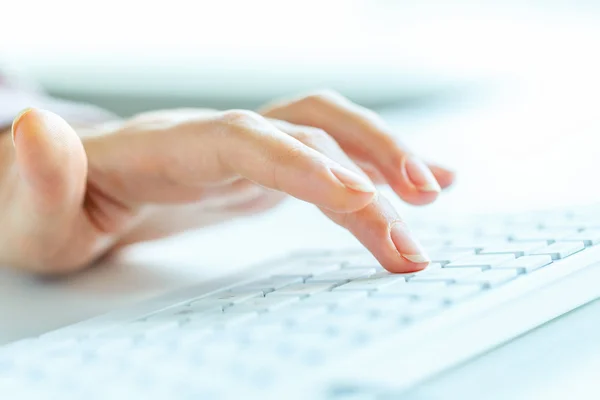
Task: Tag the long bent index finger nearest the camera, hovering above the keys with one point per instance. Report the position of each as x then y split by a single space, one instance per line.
176 163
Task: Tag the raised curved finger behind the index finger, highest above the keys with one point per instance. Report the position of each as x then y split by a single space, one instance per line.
363 134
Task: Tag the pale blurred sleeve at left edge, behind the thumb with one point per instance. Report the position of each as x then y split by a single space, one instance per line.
15 96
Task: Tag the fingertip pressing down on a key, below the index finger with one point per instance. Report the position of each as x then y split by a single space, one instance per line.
381 230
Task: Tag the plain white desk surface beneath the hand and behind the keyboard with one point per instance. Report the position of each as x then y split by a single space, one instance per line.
515 152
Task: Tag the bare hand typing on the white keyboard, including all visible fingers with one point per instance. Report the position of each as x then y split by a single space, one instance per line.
67 200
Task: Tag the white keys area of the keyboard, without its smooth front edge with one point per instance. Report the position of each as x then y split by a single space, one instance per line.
311 310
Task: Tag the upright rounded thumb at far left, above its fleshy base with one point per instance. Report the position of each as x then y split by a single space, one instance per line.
51 162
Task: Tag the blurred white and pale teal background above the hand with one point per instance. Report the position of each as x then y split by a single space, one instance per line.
131 55
